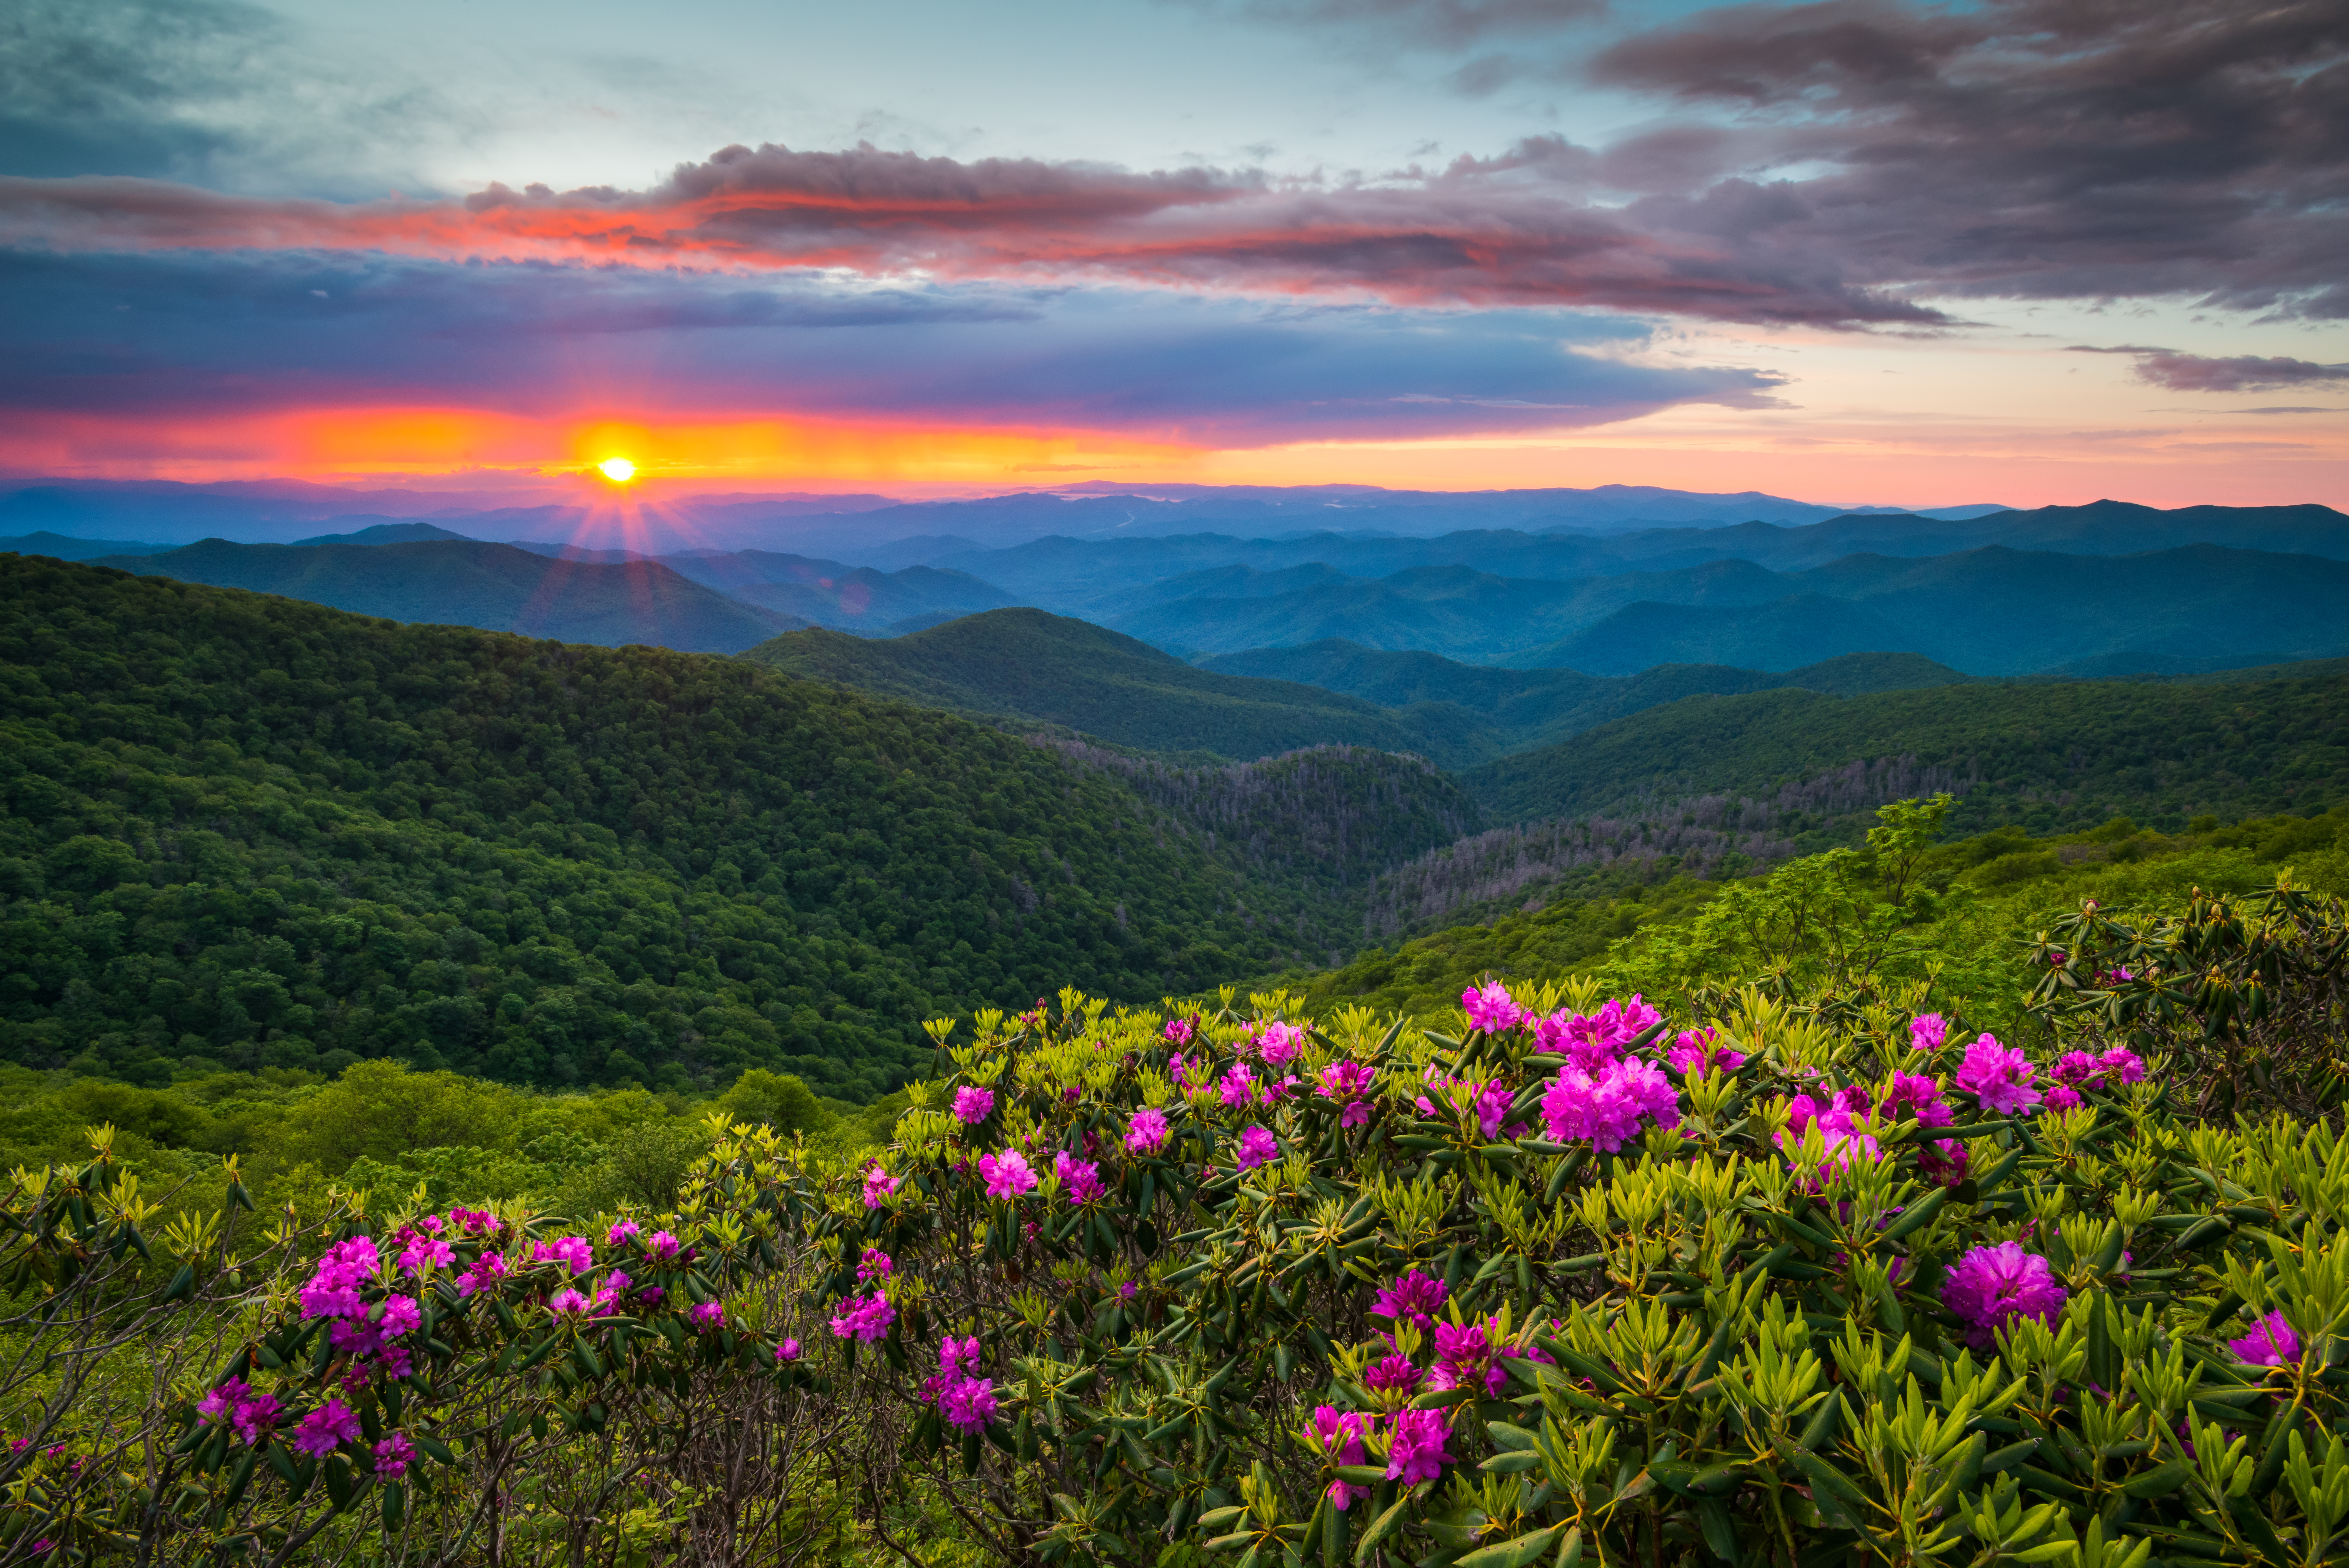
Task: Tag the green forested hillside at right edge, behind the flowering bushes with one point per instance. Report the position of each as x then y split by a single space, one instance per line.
2047 757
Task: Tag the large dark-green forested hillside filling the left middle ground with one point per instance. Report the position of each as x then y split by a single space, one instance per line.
255 832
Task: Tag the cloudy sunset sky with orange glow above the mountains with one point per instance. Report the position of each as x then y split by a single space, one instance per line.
1857 252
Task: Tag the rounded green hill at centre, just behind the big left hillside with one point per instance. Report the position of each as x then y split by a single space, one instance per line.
1082 677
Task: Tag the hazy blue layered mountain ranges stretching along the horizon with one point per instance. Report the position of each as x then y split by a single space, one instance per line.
1577 581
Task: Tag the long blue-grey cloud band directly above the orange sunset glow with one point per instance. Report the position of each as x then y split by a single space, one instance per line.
161 337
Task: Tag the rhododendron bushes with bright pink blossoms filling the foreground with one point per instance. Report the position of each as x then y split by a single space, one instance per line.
1566 1280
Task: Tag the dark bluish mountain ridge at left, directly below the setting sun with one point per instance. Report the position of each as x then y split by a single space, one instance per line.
483 586
